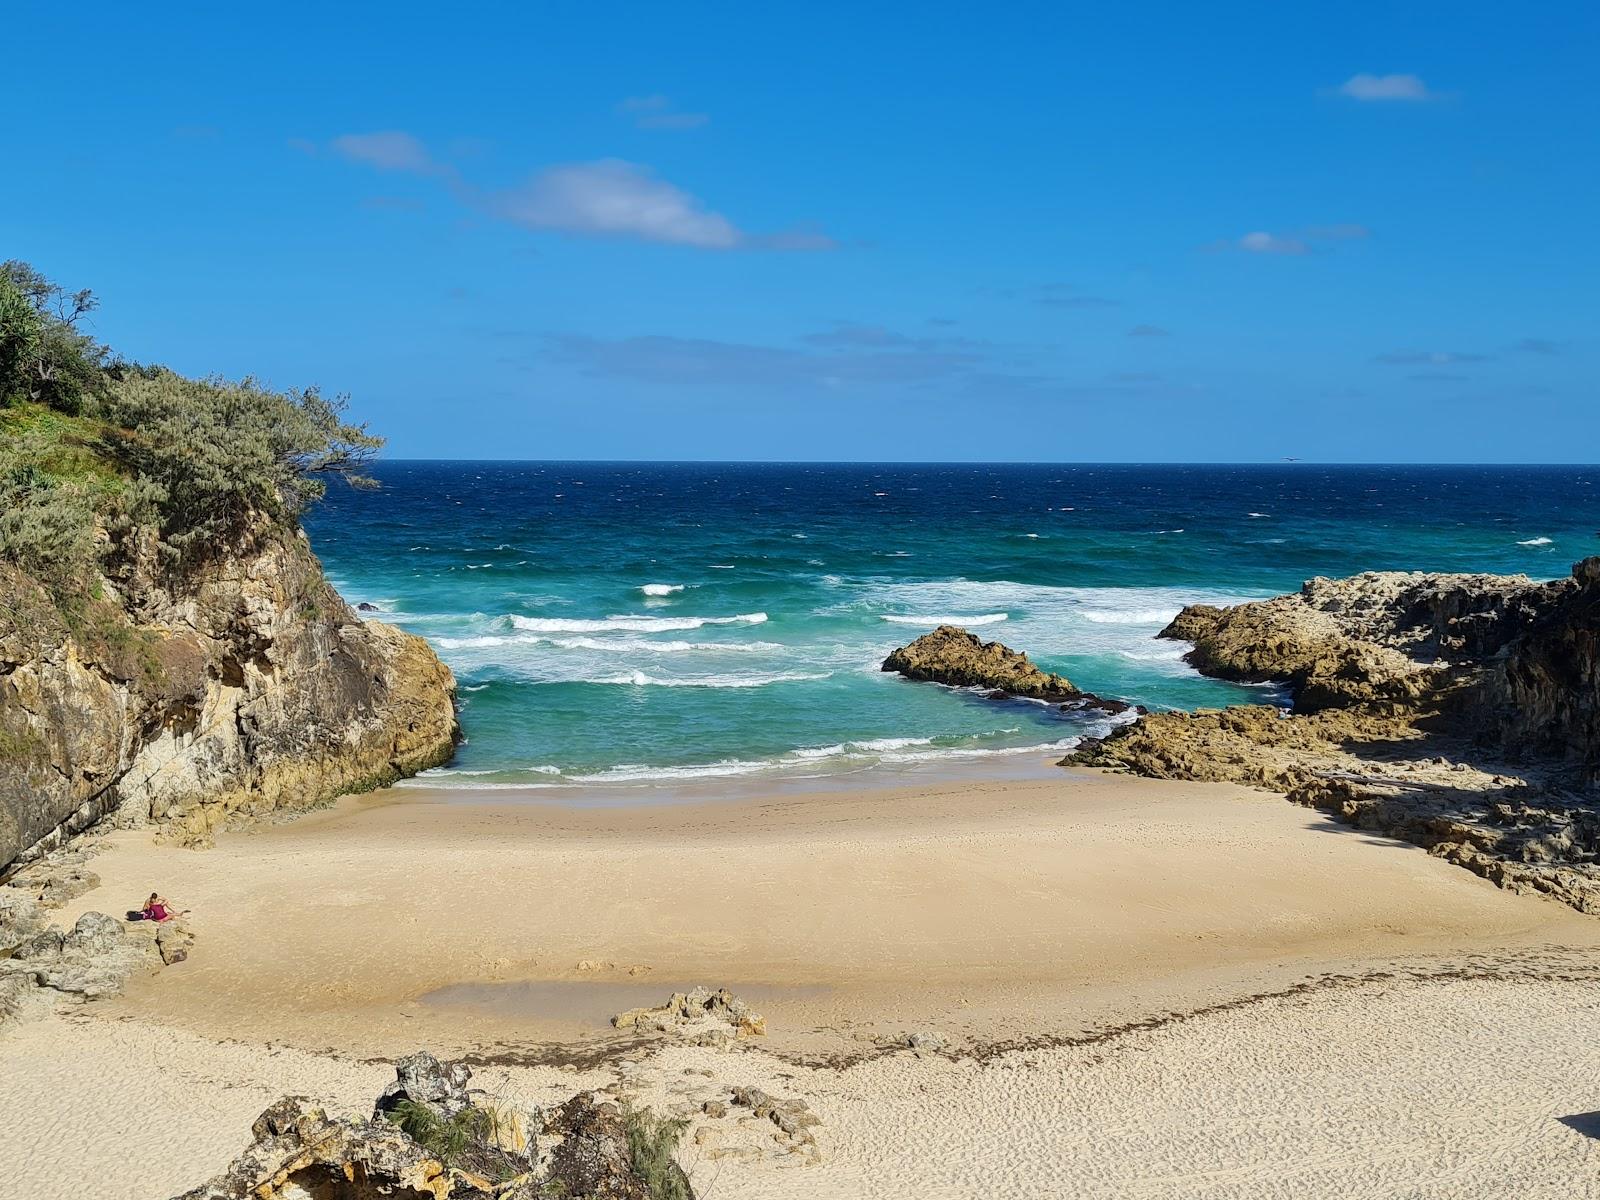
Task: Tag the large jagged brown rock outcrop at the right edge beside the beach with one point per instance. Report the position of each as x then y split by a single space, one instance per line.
1455 711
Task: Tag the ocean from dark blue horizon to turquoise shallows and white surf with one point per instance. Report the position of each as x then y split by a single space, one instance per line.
641 623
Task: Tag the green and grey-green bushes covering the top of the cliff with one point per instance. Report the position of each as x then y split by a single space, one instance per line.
90 442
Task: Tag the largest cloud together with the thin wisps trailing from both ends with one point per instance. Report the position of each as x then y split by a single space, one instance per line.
609 198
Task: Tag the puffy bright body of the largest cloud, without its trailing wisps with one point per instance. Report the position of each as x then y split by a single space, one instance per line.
617 199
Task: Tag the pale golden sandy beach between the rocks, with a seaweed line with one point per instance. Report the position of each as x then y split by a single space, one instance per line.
1148 990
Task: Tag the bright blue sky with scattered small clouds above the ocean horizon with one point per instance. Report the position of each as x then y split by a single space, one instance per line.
1078 233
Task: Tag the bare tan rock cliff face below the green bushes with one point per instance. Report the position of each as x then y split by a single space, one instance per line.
241 687
